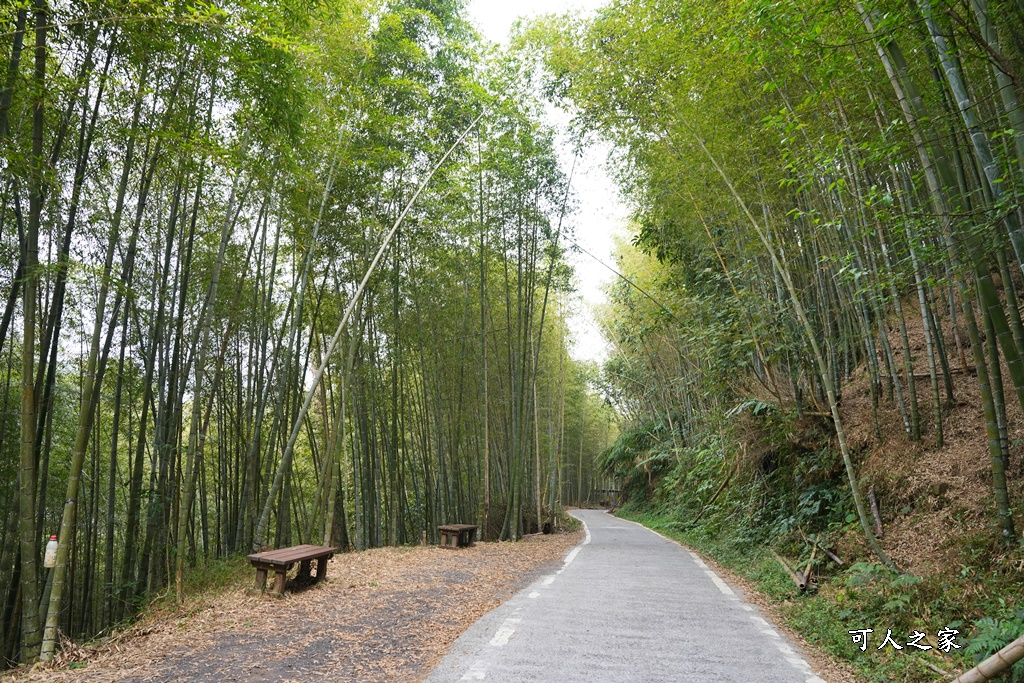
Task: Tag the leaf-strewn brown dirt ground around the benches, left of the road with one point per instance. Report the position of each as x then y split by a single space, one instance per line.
385 615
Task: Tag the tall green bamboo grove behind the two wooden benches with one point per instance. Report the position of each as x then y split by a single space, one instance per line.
192 197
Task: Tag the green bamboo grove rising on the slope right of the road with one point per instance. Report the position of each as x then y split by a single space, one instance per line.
815 185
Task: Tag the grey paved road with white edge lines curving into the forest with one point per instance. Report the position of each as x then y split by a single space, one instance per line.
627 606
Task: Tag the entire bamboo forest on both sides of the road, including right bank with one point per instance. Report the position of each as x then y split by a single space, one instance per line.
289 273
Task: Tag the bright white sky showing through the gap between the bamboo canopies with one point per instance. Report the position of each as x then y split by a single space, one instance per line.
602 211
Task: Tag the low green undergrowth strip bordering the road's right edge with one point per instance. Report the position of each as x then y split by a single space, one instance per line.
858 596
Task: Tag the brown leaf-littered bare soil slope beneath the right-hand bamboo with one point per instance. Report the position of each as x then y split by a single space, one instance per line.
931 498
